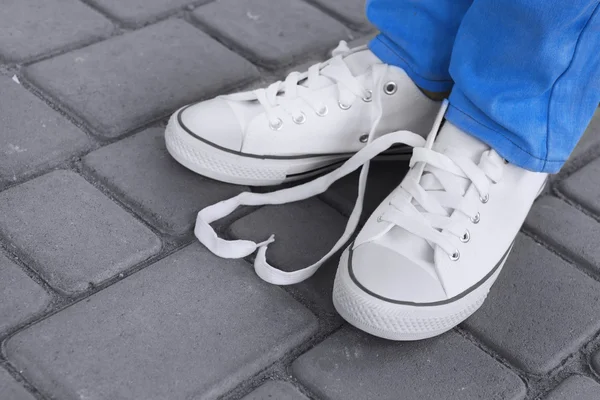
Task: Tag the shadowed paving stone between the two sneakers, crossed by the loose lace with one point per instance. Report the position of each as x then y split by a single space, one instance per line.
384 176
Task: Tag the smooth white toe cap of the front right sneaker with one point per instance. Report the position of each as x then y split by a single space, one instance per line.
381 271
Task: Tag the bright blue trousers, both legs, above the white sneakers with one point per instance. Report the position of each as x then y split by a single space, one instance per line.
524 74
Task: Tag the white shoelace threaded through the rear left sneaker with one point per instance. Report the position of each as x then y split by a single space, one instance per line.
302 85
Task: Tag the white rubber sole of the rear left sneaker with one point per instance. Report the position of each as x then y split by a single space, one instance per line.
237 168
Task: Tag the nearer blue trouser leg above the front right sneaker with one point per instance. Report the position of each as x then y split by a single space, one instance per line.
529 86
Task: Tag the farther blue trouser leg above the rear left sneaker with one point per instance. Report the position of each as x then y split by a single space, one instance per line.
418 36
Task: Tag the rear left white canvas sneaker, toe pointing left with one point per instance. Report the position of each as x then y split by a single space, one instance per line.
303 126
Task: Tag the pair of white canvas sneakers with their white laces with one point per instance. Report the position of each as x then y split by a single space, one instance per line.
427 257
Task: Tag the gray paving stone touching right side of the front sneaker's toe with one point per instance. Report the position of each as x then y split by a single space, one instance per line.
529 315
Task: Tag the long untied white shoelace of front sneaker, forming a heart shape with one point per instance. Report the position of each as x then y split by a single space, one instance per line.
420 211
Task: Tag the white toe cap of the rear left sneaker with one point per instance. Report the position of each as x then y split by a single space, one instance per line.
213 121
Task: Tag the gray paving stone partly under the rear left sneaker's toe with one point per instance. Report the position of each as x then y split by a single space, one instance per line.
141 170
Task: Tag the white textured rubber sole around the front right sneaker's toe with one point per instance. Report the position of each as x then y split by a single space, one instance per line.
399 321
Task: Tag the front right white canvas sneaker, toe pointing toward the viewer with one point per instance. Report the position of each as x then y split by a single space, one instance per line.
427 257
